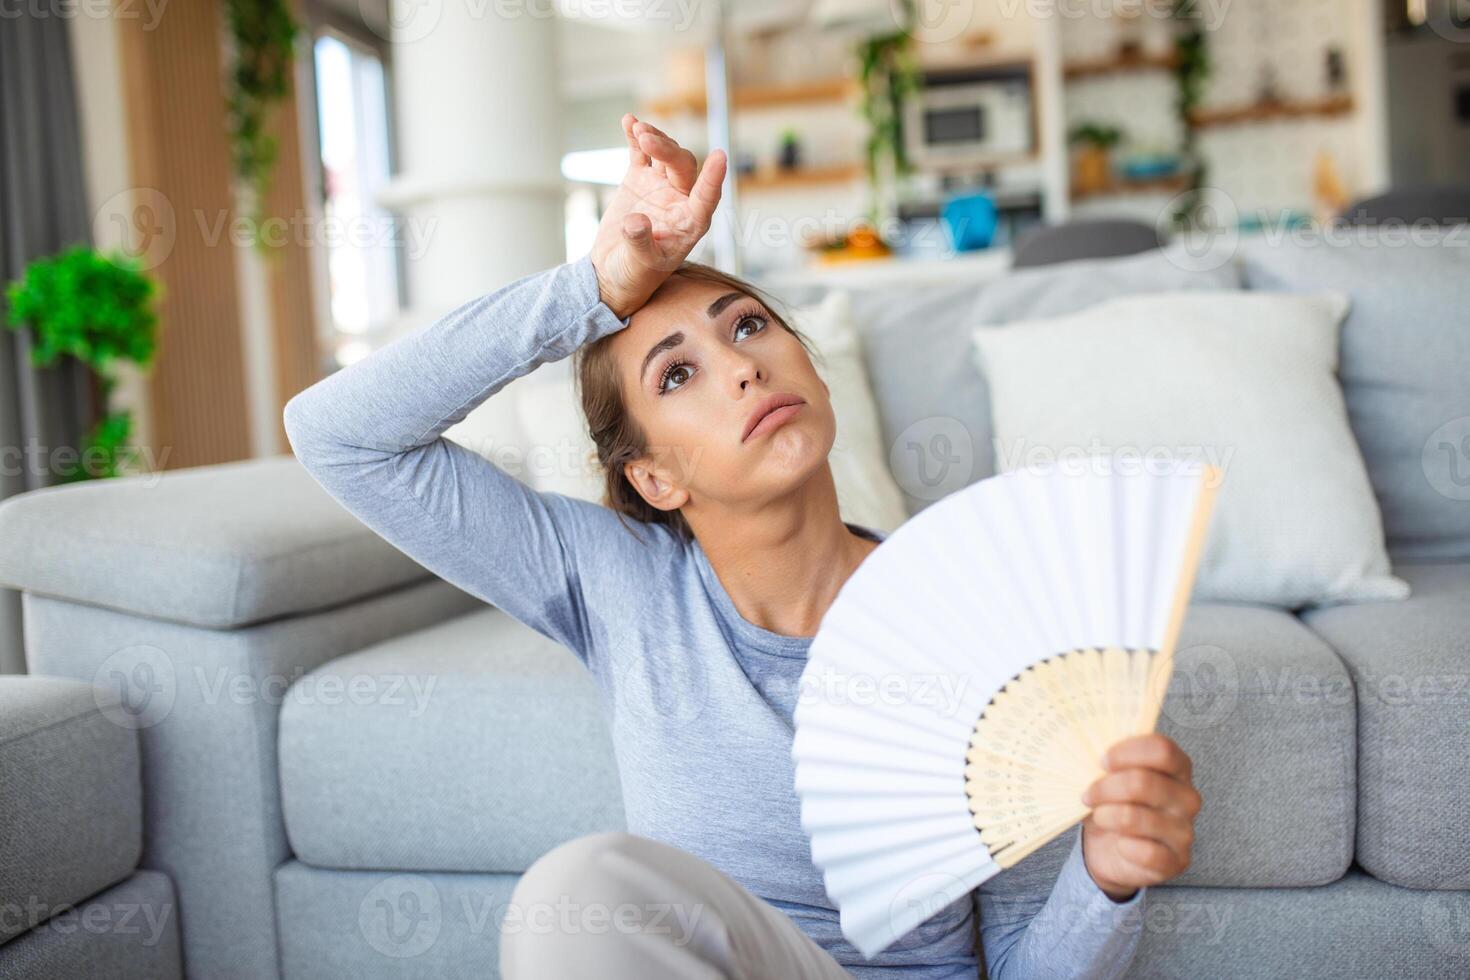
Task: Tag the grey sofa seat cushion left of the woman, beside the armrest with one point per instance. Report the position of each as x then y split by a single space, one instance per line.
476 746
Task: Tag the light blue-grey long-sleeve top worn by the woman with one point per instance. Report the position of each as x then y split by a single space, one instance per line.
700 700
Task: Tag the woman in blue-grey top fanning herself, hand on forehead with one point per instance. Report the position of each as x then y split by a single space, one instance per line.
692 597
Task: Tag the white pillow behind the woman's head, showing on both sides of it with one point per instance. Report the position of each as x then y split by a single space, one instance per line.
561 456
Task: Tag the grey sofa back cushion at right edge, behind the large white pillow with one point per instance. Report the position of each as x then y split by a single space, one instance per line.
1405 365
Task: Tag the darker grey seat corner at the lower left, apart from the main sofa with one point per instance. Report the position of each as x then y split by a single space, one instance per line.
73 900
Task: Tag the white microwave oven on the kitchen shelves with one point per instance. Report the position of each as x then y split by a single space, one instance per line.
969 118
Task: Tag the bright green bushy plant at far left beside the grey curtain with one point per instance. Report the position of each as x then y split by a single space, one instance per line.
99 311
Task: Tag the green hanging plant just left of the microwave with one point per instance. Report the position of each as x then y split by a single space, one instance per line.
889 76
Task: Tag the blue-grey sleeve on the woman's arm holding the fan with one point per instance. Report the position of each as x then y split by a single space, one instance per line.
1071 929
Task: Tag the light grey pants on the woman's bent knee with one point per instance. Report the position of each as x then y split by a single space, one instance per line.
620 907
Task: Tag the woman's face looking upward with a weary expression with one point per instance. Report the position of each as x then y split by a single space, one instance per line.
698 362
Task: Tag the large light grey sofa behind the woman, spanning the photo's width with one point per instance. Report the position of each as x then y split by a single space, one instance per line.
349 762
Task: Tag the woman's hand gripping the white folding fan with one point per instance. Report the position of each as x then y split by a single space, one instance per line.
1141 826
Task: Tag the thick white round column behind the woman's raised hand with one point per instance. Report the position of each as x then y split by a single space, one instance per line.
478 109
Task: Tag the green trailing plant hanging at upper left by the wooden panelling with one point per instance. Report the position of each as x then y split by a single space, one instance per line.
264 39
